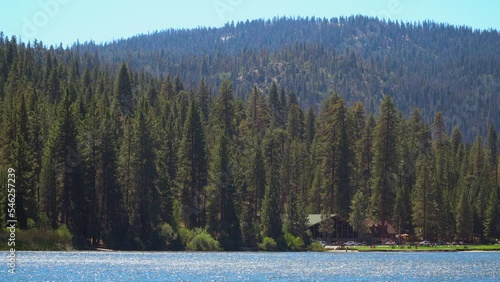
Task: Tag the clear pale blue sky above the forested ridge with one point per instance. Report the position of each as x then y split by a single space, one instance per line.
65 21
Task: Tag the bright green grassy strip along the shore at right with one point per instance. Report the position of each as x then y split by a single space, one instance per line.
427 249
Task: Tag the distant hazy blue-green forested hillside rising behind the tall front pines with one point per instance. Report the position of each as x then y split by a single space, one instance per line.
435 67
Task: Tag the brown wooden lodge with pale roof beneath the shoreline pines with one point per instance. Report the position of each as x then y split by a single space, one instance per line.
342 230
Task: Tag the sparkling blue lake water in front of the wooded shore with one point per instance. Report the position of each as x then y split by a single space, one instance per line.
184 266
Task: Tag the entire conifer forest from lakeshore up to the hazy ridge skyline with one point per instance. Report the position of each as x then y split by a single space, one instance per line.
220 137
